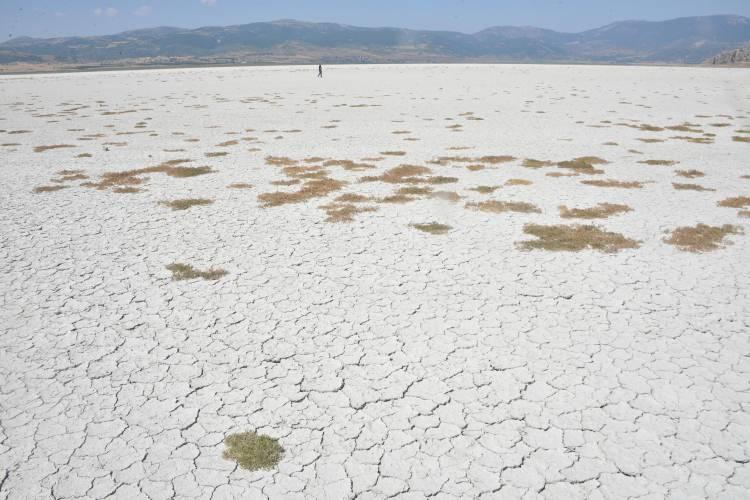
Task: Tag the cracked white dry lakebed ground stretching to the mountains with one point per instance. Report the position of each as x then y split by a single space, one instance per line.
388 361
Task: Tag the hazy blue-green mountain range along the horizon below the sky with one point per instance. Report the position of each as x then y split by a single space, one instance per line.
684 40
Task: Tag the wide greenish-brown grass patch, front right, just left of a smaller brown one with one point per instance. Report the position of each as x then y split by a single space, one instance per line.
574 238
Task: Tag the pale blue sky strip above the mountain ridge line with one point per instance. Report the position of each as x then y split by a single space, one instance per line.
46 18
